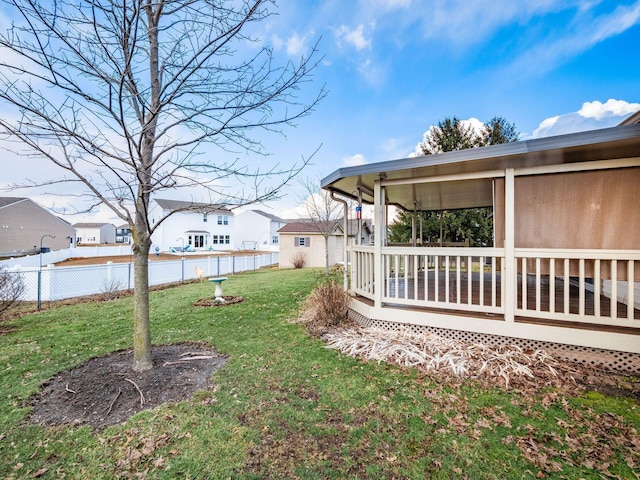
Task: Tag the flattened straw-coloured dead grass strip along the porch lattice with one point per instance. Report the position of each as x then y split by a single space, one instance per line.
433 354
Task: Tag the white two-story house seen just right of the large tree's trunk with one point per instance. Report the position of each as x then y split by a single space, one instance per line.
191 226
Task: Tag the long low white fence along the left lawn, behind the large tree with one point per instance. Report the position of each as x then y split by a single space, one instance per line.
57 283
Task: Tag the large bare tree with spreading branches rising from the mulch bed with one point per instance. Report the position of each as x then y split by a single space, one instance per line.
133 97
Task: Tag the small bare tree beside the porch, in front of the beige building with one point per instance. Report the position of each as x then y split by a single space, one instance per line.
322 211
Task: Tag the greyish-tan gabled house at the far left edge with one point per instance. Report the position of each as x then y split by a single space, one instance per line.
25 226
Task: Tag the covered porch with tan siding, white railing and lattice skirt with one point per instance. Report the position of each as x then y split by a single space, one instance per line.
566 245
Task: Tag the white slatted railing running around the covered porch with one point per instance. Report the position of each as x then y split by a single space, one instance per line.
565 285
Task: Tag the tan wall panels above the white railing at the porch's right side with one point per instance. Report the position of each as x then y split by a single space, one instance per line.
583 210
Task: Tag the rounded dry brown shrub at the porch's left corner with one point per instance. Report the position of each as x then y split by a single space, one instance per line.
325 308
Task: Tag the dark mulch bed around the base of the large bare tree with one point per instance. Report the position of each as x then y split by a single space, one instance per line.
105 390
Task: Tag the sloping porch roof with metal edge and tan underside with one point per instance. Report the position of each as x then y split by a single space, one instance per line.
610 143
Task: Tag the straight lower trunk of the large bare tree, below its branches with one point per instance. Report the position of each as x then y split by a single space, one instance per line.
141 330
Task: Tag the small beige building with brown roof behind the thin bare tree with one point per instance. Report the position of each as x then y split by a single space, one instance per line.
302 237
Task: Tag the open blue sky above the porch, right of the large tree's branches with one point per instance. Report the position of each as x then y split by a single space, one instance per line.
393 68
